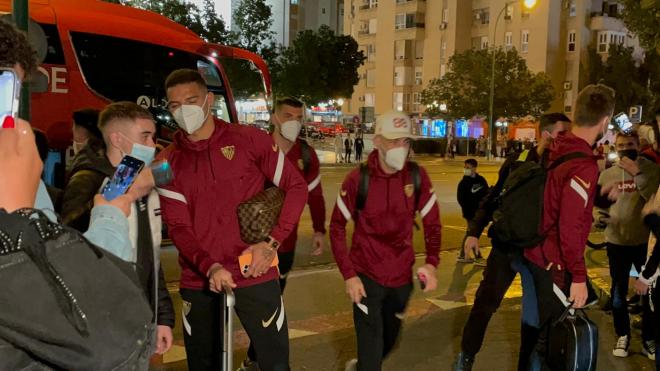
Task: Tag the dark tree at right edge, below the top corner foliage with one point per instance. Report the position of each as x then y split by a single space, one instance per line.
633 81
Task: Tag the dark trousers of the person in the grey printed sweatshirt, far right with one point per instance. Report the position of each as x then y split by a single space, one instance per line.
622 258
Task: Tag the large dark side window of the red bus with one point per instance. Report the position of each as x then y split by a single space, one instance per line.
122 69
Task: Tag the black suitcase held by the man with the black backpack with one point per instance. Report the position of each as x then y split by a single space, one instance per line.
572 341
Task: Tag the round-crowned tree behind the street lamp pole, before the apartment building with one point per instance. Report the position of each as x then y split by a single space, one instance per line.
466 87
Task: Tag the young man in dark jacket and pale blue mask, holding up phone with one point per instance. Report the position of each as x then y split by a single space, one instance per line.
127 129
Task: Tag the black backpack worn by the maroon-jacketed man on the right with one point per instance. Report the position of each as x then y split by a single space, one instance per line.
518 219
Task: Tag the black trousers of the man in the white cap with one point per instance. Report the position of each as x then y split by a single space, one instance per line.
378 322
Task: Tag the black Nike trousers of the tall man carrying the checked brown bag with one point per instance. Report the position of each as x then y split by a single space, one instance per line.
261 311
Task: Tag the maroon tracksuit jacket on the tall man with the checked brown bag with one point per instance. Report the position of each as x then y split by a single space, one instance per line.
211 178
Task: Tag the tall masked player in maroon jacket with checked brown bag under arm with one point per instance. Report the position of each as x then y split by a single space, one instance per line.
217 167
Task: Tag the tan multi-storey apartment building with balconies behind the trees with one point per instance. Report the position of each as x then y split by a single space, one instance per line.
409 42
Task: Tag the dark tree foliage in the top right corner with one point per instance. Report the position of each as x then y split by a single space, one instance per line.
642 17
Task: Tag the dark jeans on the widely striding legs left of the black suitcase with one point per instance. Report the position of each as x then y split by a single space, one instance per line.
501 269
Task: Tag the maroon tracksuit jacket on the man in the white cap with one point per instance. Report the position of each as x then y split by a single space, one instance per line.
382 246
